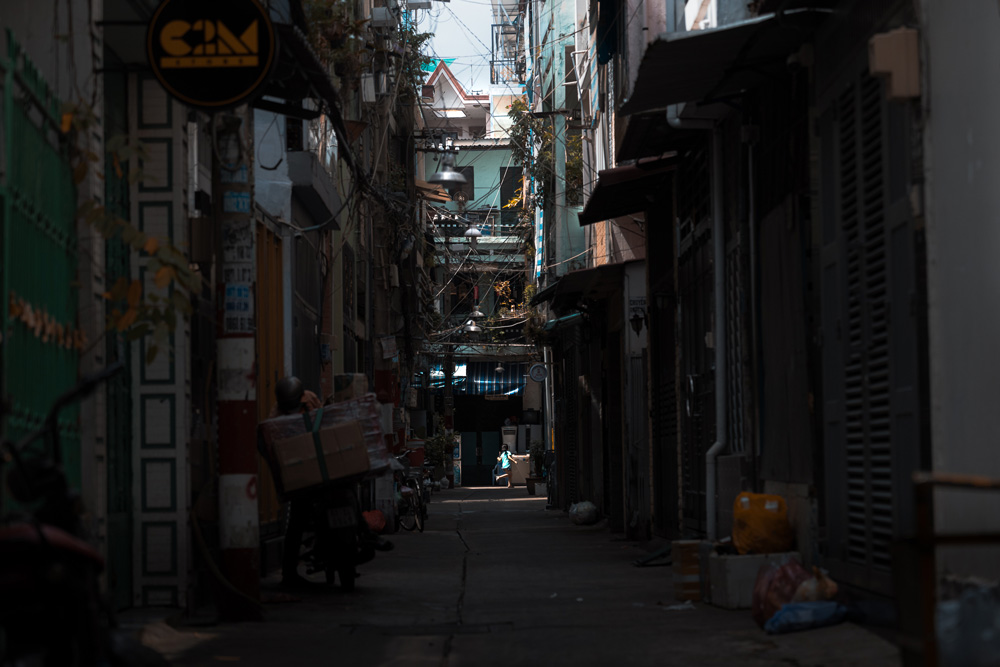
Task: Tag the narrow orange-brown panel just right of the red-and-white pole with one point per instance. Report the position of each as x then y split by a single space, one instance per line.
270 359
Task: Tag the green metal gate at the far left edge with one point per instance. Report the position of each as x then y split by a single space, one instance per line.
39 257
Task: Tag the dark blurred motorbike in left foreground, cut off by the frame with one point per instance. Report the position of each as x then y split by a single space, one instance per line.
52 612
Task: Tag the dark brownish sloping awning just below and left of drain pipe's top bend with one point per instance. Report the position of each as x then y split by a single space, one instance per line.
624 190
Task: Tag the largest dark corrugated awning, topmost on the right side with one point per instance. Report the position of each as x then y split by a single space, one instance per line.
709 64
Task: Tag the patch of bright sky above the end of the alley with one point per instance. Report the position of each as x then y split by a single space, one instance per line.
461 30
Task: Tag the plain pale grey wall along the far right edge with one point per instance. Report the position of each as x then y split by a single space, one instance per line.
962 144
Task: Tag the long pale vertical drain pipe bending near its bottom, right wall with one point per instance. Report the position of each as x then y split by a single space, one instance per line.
719 243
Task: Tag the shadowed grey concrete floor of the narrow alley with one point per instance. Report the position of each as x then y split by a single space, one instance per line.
496 579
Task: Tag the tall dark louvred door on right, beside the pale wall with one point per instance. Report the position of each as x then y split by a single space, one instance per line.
870 349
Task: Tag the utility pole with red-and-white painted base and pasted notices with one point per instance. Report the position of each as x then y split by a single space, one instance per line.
239 529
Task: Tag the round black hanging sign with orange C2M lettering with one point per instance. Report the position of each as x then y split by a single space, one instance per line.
212 55
